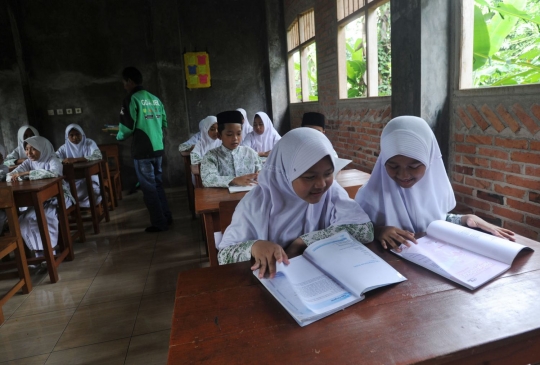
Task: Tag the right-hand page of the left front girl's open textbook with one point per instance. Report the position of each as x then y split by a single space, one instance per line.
352 264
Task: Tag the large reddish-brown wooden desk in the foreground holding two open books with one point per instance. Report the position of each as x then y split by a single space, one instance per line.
223 315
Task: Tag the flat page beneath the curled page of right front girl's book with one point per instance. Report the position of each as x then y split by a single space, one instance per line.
455 263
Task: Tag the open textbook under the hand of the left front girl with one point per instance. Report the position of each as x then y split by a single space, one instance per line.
329 276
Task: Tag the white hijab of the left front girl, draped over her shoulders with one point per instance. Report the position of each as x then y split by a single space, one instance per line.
272 211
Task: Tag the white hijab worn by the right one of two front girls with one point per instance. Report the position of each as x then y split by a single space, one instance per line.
431 198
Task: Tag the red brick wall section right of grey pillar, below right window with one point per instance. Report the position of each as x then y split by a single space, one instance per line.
496 163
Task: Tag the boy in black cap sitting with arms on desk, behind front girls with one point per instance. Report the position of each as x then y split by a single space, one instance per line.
230 164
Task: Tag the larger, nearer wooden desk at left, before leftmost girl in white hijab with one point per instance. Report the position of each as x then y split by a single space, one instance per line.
33 193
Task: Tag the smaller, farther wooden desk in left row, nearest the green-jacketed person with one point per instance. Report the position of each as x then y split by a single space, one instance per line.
85 170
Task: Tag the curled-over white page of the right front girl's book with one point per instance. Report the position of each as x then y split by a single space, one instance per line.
482 243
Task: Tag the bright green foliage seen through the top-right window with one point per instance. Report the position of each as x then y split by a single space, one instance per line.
506 48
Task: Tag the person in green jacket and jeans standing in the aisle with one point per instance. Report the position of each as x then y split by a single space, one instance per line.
143 117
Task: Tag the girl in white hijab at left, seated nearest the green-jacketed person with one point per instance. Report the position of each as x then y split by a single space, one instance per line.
78 148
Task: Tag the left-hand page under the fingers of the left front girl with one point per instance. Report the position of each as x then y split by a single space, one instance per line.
304 290
